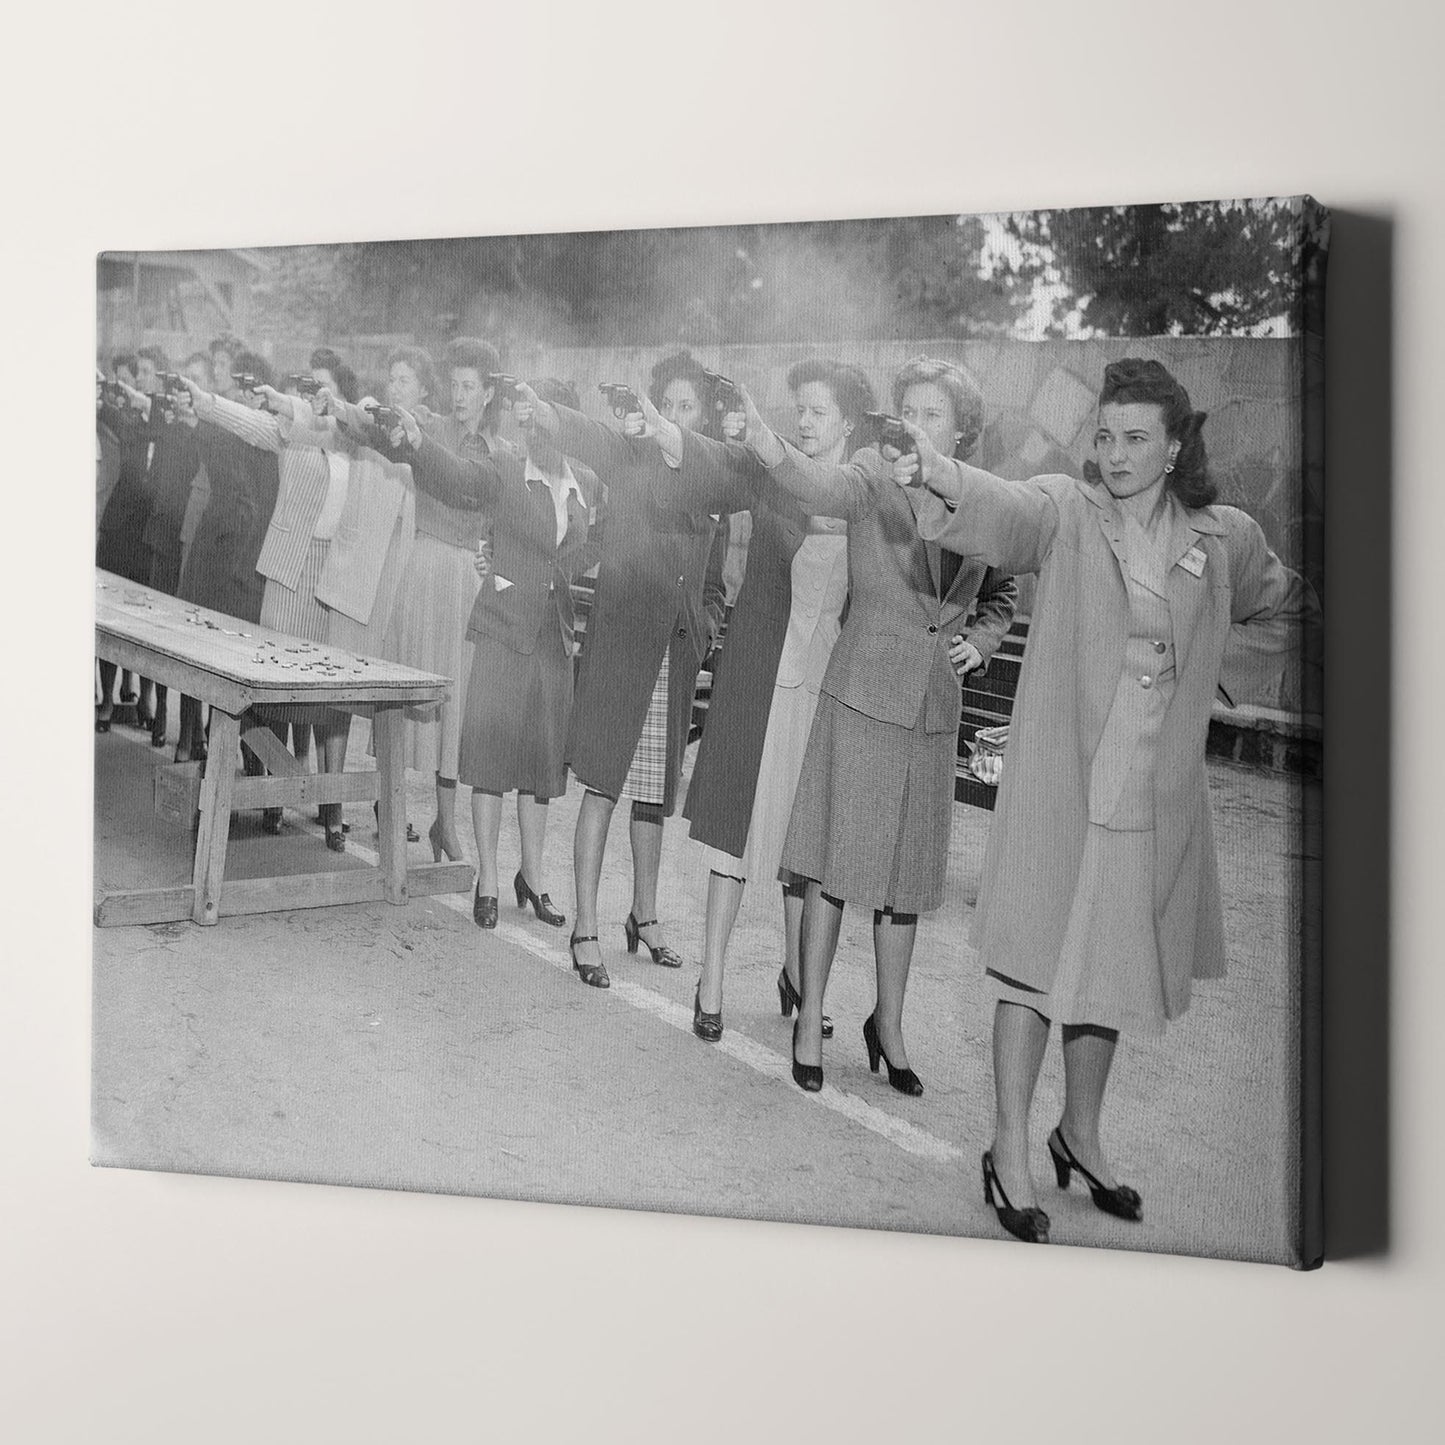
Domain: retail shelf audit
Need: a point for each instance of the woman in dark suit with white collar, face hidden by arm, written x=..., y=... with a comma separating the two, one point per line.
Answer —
x=519, y=699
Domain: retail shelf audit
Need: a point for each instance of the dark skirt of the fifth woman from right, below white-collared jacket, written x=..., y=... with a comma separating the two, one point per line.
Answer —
x=515, y=715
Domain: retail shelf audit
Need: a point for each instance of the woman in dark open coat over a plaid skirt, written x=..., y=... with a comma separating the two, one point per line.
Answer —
x=657, y=611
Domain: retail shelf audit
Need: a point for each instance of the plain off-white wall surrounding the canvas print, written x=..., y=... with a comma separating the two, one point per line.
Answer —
x=168, y=1308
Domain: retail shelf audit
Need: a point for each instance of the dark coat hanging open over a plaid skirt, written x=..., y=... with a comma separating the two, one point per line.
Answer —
x=660, y=593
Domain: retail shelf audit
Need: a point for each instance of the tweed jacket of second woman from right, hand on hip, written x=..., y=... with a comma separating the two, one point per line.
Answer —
x=891, y=661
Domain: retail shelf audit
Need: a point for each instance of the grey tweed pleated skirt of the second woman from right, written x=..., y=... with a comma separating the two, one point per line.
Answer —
x=874, y=810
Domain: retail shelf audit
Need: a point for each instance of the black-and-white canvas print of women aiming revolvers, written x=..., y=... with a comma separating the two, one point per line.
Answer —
x=808, y=723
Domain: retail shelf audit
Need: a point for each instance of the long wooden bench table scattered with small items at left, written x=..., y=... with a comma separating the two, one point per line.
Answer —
x=235, y=667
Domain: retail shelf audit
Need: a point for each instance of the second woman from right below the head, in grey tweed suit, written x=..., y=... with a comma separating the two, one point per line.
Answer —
x=875, y=801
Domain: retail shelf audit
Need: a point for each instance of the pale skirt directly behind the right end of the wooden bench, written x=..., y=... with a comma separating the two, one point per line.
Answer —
x=428, y=631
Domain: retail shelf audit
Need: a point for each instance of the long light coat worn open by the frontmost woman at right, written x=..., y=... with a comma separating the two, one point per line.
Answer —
x=1236, y=615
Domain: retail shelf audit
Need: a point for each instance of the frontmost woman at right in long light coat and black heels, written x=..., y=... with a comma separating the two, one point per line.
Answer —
x=1100, y=897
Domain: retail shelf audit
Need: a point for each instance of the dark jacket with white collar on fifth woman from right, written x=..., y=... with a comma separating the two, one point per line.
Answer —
x=524, y=537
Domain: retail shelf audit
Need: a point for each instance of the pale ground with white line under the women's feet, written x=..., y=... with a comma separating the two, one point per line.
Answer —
x=402, y=1048
